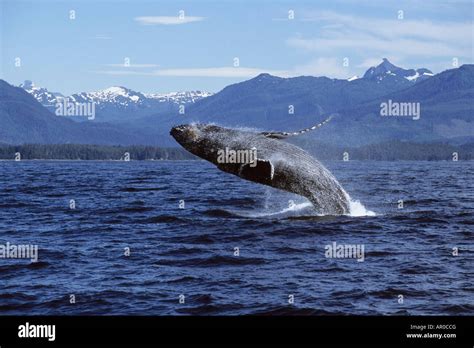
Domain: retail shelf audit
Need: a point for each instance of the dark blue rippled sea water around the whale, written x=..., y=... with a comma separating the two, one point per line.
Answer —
x=190, y=251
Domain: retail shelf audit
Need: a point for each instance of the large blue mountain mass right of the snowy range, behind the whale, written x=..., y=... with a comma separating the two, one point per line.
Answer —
x=446, y=102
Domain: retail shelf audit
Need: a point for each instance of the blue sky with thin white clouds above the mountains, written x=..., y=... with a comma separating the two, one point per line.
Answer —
x=165, y=46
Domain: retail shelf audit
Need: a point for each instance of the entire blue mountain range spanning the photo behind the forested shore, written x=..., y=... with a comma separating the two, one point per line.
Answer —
x=264, y=102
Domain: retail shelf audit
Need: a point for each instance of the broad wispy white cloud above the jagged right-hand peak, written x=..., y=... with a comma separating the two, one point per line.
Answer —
x=388, y=37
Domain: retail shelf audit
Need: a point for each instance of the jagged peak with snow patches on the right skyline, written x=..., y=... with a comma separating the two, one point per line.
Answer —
x=388, y=70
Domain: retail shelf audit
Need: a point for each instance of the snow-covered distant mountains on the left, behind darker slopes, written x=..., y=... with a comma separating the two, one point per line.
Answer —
x=118, y=103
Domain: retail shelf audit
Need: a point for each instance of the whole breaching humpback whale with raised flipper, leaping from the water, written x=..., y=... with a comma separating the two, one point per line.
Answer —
x=276, y=163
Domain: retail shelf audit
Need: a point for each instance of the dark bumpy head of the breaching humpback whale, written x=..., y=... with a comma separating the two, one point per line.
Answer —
x=202, y=140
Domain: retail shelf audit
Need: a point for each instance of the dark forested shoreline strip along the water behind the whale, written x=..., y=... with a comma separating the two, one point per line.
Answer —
x=388, y=151
